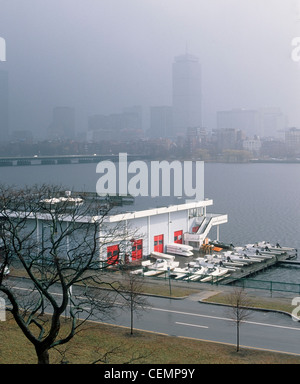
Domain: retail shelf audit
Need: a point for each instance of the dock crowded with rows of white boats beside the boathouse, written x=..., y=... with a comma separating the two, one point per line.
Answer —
x=227, y=265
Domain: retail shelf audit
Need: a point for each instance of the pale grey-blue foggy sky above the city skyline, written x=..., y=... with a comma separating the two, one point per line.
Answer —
x=100, y=56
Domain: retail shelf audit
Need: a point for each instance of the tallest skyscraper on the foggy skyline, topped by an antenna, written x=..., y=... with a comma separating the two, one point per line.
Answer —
x=186, y=94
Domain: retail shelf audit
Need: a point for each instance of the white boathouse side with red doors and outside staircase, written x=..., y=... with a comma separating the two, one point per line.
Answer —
x=187, y=223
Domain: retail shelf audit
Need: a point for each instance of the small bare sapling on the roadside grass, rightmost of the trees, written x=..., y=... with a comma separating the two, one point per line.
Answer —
x=239, y=310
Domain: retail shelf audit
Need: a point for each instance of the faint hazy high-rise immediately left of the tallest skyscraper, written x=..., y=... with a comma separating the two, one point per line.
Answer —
x=161, y=121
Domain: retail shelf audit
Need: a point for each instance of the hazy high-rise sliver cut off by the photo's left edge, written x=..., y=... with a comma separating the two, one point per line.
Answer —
x=4, y=107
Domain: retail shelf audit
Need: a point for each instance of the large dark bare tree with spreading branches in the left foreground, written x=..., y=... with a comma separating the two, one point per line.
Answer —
x=56, y=241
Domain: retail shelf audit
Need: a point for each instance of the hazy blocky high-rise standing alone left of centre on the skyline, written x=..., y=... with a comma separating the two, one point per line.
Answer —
x=63, y=124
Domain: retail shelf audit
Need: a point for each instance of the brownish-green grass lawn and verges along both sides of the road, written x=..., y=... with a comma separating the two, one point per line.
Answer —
x=115, y=345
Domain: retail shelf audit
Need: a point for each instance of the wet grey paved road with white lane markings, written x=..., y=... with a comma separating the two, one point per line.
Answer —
x=190, y=318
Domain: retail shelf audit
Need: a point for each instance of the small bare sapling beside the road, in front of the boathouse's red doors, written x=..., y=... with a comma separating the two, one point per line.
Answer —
x=132, y=286
